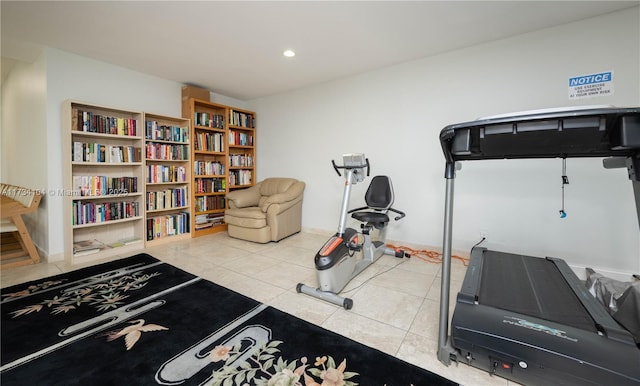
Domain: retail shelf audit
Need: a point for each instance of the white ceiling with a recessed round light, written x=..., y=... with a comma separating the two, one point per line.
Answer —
x=235, y=48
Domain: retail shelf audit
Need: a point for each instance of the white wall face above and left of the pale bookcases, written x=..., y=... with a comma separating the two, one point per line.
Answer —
x=82, y=79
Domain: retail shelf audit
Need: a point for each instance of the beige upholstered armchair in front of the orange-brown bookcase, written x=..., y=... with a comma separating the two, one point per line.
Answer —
x=268, y=211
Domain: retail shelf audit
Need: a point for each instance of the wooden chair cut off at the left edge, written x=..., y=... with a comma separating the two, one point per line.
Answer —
x=17, y=248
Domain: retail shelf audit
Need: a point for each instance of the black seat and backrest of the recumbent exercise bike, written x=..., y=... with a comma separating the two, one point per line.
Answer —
x=379, y=198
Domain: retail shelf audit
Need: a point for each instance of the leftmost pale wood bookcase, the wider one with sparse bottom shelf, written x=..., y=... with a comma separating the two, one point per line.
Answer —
x=103, y=181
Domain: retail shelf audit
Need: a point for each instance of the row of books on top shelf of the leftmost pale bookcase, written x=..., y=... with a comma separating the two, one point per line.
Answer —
x=95, y=123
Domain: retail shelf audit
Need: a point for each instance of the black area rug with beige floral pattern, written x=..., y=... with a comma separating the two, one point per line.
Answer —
x=139, y=321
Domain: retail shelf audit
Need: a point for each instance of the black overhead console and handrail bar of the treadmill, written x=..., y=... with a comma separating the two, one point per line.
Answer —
x=612, y=127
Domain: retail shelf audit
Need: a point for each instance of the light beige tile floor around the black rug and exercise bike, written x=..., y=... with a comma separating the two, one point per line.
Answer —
x=396, y=302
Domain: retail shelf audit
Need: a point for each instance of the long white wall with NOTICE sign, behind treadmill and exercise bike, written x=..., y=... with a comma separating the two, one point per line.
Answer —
x=394, y=116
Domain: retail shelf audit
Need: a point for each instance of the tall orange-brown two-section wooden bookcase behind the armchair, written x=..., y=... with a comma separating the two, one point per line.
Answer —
x=223, y=158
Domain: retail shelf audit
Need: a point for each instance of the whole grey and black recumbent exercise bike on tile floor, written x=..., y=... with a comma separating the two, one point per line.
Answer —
x=349, y=252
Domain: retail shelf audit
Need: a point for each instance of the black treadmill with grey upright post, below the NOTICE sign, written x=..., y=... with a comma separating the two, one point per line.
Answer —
x=530, y=319
